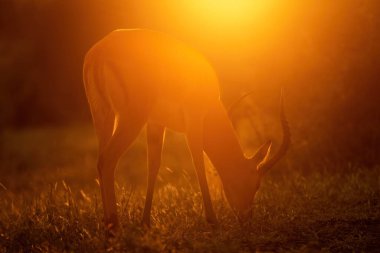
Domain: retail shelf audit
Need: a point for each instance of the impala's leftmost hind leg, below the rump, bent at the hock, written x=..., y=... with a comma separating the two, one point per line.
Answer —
x=127, y=130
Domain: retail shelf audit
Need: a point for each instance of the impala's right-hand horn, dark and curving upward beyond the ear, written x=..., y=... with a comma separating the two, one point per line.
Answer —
x=286, y=139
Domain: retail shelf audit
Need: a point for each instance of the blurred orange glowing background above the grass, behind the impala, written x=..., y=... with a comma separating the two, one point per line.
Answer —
x=325, y=54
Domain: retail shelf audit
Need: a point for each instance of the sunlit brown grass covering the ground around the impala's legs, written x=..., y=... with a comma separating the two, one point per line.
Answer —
x=50, y=202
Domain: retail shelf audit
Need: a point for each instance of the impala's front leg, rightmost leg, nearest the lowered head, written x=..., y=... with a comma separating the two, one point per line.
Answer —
x=195, y=142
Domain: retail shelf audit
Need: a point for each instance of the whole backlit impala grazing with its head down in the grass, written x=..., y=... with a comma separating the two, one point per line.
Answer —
x=140, y=77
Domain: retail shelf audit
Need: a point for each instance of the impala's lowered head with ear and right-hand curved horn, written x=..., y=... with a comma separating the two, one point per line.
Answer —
x=241, y=189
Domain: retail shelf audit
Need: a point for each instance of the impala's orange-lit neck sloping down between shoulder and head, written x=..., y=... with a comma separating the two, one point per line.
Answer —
x=221, y=143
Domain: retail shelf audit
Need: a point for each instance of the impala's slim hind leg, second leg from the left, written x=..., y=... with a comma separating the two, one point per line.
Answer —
x=155, y=137
